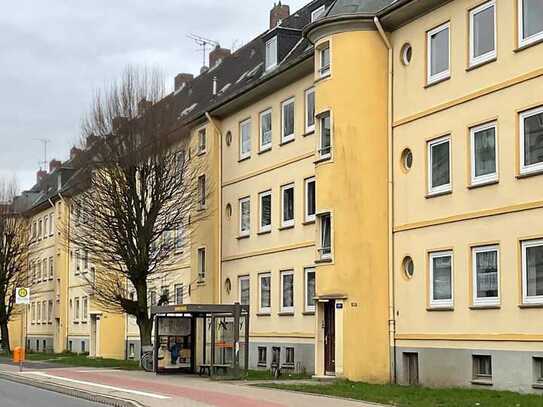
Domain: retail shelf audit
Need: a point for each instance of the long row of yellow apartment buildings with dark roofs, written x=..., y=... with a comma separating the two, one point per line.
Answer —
x=375, y=176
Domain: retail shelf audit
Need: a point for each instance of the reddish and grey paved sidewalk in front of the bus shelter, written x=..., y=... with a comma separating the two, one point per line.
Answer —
x=150, y=390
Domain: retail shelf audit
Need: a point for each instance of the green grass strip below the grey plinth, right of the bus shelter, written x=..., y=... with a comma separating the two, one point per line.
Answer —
x=416, y=396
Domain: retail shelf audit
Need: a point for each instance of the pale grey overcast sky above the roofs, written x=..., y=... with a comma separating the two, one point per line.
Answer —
x=55, y=53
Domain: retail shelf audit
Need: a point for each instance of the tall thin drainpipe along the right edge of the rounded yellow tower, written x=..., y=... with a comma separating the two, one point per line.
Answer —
x=391, y=286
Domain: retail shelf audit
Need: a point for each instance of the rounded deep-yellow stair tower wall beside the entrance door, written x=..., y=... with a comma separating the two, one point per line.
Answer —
x=353, y=187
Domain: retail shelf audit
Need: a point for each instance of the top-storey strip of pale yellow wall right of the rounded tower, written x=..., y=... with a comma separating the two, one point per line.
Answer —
x=410, y=95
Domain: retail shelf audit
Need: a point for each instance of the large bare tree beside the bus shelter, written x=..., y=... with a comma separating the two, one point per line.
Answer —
x=139, y=188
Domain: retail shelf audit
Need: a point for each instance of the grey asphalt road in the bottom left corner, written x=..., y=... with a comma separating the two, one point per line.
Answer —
x=19, y=395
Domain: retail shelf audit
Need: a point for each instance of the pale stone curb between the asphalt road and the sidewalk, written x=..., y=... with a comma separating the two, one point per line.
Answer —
x=69, y=391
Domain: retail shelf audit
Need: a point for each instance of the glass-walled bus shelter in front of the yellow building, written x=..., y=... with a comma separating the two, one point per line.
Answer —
x=201, y=338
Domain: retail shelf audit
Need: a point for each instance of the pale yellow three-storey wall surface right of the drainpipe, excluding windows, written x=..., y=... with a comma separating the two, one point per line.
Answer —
x=490, y=92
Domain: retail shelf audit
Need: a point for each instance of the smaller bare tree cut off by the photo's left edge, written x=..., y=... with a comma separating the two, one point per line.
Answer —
x=14, y=248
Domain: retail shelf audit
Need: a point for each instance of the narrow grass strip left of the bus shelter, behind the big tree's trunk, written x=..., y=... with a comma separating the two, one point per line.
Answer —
x=71, y=359
